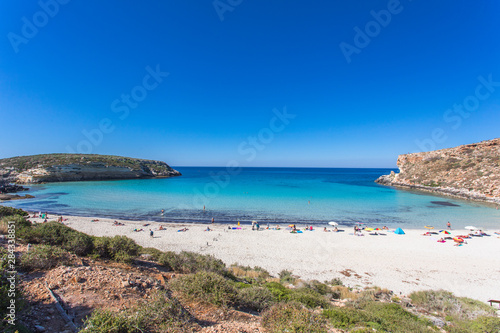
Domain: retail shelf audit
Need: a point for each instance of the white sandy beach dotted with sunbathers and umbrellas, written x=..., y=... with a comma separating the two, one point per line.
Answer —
x=402, y=263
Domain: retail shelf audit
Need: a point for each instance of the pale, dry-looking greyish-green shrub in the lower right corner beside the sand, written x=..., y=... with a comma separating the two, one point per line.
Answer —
x=447, y=304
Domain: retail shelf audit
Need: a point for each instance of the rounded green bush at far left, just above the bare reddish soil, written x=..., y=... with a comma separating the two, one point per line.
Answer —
x=44, y=257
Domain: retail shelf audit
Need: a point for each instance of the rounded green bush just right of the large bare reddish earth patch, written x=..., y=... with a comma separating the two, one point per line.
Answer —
x=207, y=286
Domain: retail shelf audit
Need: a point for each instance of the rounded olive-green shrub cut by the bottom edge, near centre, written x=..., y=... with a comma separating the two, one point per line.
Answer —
x=292, y=317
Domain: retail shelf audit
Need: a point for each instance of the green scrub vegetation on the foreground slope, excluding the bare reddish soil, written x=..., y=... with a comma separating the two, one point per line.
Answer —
x=201, y=283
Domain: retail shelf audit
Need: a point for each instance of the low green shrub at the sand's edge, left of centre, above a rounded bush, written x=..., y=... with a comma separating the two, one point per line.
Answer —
x=190, y=262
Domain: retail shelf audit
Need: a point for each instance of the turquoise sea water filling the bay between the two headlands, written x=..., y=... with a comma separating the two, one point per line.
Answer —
x=281, y=195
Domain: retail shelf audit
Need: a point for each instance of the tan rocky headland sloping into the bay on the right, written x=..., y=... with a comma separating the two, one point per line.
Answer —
x=469, y=171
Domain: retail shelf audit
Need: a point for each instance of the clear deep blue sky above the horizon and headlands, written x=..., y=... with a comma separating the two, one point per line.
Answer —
x=226, y=77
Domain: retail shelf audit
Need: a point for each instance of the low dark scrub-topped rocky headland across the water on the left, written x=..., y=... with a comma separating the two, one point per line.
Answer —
x=79, y=167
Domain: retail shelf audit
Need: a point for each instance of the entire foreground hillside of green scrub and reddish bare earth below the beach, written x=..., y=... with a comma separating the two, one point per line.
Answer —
x=72, y=282
